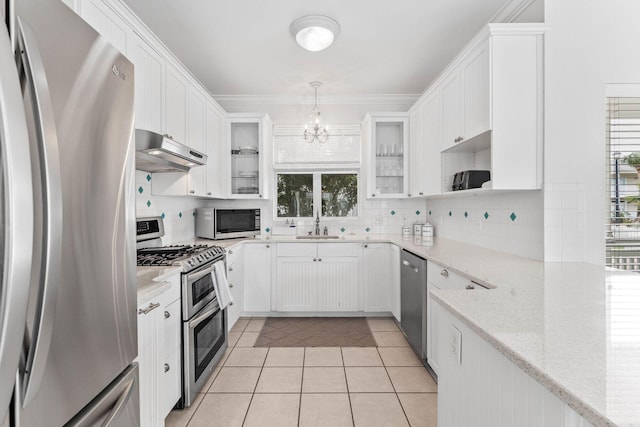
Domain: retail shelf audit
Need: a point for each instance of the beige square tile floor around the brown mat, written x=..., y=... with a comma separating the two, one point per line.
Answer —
x=314, y=386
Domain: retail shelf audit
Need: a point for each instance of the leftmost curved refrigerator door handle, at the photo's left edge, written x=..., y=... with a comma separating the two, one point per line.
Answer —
x=16, y=219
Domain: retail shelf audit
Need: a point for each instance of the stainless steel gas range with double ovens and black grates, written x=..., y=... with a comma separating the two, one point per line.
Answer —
x=204, y=324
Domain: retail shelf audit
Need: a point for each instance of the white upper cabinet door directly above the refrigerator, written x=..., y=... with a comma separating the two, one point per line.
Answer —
x=105, y=21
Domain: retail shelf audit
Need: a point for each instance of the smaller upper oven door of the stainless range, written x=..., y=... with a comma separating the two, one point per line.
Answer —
x=197, y=290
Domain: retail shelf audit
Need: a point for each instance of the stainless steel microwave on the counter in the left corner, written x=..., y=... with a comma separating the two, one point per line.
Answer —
x=227, y=223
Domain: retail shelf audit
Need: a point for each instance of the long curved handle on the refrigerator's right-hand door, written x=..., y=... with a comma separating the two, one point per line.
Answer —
x=52, y=215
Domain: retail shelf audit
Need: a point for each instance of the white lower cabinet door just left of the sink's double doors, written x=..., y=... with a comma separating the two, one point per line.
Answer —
x=257, y=262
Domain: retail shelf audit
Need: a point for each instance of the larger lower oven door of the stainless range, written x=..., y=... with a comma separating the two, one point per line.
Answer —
x=205, y=341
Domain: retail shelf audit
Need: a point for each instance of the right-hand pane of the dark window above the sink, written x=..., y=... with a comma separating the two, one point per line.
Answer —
x=340, y=195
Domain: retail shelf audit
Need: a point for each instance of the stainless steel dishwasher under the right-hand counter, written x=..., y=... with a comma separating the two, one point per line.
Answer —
x=413, y=301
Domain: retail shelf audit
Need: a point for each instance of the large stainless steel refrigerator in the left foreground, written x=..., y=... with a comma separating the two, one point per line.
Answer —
x=68, y=337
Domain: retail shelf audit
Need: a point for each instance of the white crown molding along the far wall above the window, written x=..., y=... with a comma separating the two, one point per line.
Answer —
x=238, y=100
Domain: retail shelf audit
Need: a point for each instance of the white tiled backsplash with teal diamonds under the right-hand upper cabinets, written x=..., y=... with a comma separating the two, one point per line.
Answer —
x=521, y=235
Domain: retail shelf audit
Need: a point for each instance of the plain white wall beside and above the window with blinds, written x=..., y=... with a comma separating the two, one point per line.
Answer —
x=590, y=44
